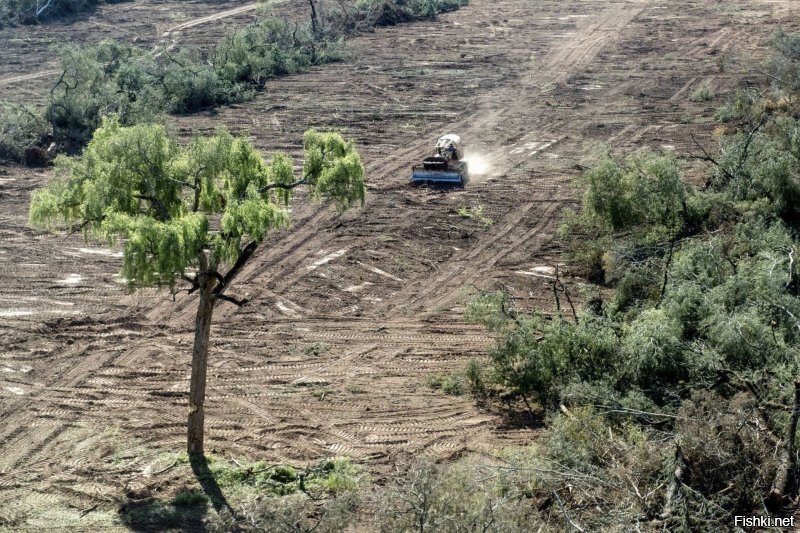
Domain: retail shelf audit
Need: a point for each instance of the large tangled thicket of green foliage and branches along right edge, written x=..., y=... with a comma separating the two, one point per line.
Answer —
x=677, y=393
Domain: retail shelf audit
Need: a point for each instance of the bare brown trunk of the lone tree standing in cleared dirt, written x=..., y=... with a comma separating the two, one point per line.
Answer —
x=197, y=386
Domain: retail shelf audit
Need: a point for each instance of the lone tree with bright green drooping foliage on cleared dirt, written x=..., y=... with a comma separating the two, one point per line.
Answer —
x=194, y=213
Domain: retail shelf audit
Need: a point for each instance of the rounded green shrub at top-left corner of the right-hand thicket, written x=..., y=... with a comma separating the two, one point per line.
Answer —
x=640, y=196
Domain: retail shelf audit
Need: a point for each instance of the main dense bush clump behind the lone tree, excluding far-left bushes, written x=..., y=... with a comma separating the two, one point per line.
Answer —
x=137, y=86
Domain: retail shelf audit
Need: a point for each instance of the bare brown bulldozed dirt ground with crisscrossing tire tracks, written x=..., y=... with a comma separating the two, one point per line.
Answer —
x=349, y=314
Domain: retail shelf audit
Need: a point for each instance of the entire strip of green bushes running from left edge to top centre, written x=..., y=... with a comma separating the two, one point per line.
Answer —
x=138, y=85
